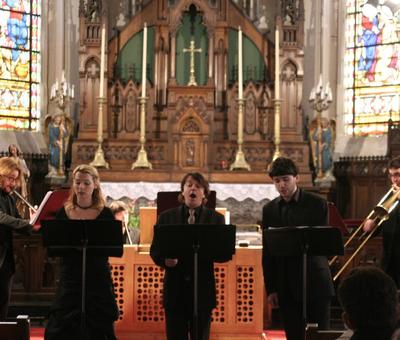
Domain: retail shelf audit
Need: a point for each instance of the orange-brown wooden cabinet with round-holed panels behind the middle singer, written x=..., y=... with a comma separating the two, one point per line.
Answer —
x=138, y=287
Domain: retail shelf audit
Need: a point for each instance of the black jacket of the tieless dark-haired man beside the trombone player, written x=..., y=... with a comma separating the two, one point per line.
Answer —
x=284, y=274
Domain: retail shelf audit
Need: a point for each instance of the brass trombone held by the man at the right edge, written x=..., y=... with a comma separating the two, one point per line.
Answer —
x=379, y=214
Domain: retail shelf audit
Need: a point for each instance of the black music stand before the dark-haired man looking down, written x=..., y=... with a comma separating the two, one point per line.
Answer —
x=304, y=241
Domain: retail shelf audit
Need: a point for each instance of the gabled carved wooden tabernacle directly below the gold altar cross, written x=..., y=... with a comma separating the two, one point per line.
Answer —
x=191, y=141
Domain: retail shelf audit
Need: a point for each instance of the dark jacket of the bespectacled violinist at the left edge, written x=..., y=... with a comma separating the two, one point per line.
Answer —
x=9, y=220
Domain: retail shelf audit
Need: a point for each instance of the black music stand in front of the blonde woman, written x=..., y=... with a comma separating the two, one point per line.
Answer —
x=99, y=237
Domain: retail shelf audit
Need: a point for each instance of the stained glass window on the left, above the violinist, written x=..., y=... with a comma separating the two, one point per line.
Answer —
x=19, y=64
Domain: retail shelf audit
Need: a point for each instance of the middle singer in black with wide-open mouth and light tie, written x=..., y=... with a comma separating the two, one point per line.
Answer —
x=178, y=280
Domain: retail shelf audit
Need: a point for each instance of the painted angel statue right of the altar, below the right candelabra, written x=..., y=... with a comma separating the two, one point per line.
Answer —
x=322, y=139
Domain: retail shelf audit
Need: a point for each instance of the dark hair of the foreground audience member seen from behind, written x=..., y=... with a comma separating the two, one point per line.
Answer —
x=369, y=297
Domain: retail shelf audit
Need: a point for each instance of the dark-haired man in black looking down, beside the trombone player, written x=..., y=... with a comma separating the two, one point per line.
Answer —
x=283, y=275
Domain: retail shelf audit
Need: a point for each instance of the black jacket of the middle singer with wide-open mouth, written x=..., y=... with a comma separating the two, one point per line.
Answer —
x=178, y=281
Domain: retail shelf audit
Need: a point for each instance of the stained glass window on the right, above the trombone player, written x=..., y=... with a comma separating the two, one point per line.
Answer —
x=372, y=77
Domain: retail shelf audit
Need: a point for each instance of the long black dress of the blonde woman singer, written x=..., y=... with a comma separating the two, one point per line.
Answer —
x=101, y=308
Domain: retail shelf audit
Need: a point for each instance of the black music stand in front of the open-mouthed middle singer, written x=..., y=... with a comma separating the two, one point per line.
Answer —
x=216, y=241
